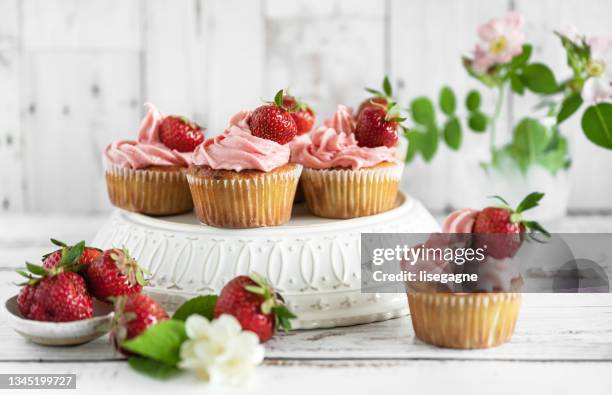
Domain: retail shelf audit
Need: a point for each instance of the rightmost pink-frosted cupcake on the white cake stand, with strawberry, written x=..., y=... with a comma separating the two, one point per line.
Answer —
x=349, y=171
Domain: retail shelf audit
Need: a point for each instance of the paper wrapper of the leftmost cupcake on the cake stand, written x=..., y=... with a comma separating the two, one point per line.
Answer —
x=149, y=192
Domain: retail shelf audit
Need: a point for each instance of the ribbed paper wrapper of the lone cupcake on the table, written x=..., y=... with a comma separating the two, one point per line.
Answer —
x=478, y=320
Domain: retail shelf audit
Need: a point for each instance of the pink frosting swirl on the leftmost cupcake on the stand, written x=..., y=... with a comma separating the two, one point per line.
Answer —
x=148, y=150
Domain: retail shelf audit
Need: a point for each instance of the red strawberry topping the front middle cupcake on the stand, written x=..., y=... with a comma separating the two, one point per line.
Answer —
x=273, y=122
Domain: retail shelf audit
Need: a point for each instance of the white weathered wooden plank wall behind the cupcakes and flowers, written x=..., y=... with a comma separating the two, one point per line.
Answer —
x=74, y=75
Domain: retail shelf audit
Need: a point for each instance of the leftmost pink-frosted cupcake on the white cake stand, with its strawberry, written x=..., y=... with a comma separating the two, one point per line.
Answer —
x=148, y=175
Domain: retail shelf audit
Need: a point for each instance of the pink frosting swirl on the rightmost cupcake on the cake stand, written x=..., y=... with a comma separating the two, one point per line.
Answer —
x=334, y=145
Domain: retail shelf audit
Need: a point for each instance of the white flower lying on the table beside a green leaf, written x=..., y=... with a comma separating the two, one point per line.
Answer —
x=219, y=351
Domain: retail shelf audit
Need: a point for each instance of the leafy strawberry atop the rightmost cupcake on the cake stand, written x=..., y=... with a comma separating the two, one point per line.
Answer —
x=378, y=119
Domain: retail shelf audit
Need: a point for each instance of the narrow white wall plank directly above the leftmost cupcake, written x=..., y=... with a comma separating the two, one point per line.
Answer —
x=176, y=59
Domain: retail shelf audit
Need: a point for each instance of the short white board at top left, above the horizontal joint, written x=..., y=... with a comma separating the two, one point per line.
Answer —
x=78, y=24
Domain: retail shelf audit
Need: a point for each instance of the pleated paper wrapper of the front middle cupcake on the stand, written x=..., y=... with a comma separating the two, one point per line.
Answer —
x=249, y=202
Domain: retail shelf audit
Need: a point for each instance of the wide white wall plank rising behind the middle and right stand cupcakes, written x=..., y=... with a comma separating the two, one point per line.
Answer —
x=325, y=52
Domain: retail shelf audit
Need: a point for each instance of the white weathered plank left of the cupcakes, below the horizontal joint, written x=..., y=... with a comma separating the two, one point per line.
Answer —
x=75, y=103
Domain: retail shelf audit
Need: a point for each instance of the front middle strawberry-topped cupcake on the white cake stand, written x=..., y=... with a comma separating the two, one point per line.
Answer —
x=243, y=178
